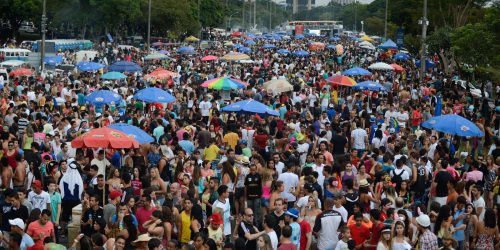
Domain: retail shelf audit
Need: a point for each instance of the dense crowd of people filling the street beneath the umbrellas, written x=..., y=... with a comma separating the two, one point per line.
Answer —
x=337, y=169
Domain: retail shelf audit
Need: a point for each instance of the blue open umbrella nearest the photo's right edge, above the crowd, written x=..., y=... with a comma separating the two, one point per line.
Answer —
x=453, y=124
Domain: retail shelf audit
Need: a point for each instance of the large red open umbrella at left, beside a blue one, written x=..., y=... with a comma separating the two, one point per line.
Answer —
x=104, y=138
